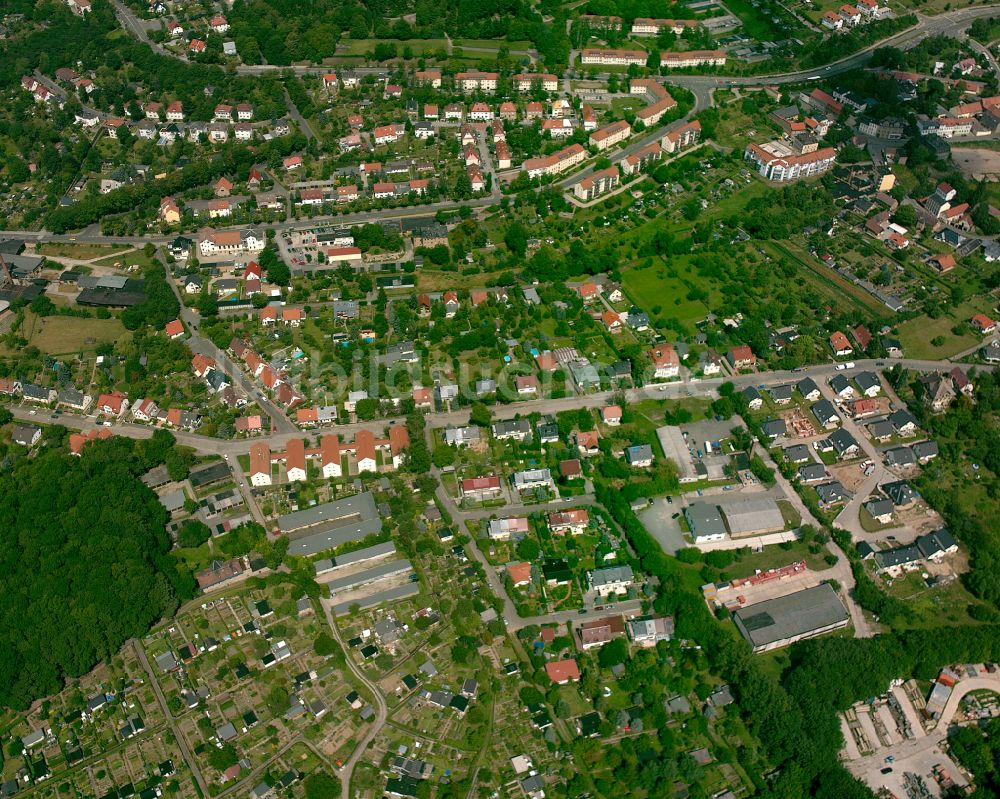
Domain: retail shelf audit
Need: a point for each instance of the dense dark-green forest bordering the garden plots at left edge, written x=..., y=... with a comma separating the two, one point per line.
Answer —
x=85, y=563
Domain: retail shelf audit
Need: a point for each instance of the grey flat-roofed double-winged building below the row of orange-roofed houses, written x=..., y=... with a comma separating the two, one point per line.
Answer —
x=322, y=527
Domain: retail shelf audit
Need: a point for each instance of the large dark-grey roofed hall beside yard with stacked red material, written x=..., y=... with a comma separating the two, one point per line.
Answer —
x=779, y=622
